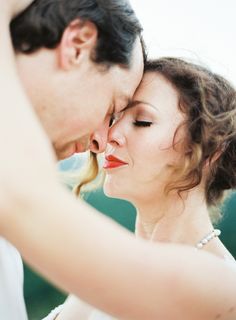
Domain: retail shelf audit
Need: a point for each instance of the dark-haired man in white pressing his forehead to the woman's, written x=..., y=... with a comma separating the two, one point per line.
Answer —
x=79, y=62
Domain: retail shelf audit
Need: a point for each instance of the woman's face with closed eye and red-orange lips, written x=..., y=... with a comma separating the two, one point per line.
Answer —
x=140, y=153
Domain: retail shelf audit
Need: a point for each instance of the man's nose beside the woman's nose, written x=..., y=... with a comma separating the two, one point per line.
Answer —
x=98, y=140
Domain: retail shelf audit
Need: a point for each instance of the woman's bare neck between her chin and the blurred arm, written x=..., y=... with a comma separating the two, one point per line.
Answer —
x=172, y=219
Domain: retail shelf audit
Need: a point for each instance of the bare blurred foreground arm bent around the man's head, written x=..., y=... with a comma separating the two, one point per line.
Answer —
x=83, y=252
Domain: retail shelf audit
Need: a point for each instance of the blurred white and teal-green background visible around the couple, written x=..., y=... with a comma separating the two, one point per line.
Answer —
x=203, y=31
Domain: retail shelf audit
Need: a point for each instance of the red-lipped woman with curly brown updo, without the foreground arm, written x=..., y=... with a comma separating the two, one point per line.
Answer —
x=172, y=153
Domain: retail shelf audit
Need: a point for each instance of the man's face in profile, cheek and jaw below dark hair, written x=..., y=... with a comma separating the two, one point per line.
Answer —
x=72, y=103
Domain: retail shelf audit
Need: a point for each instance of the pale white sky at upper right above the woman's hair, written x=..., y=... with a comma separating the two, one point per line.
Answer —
x=202, y=30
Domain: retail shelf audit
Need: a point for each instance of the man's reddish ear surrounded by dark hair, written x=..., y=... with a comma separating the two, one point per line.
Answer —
x=78, y=41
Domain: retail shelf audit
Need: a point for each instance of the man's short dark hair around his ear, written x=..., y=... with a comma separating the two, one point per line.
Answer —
x=42, y=25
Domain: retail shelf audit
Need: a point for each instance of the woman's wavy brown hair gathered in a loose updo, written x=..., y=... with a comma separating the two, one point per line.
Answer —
x=209, y=103
